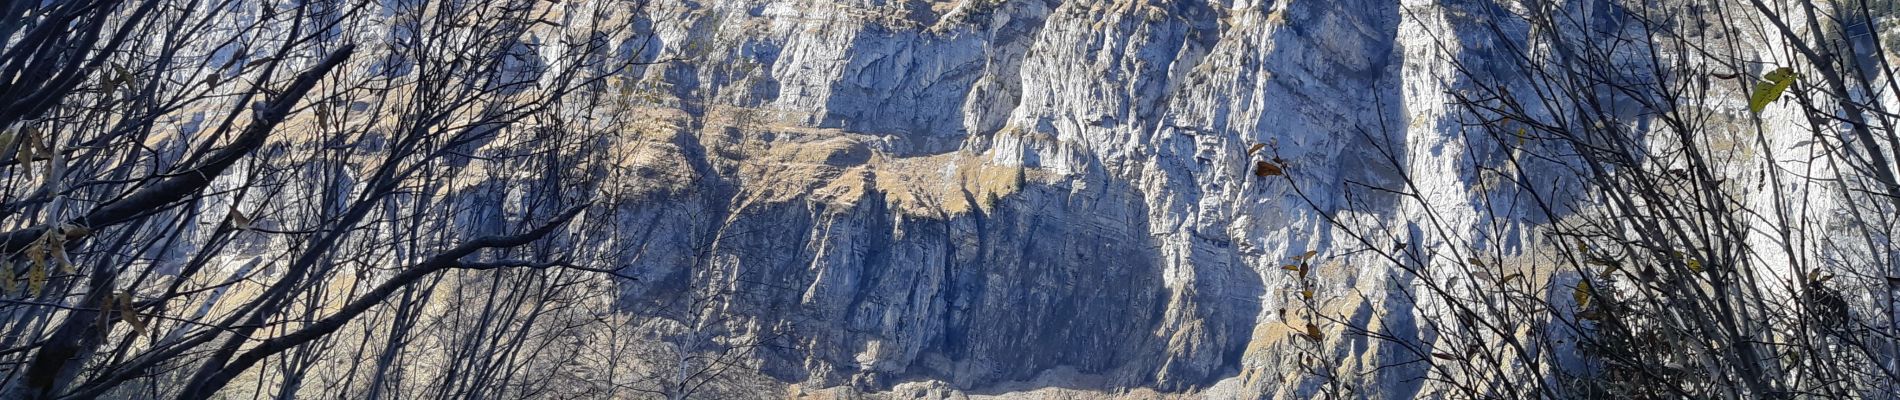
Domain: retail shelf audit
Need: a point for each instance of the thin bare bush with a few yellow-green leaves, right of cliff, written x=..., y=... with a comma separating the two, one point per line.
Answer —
x=1681, y=200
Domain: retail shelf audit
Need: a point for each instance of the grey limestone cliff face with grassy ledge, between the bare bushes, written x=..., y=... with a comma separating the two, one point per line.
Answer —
x=1052, y=192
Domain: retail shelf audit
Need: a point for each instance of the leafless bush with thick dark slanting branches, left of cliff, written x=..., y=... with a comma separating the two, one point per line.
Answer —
x=292, y=198
